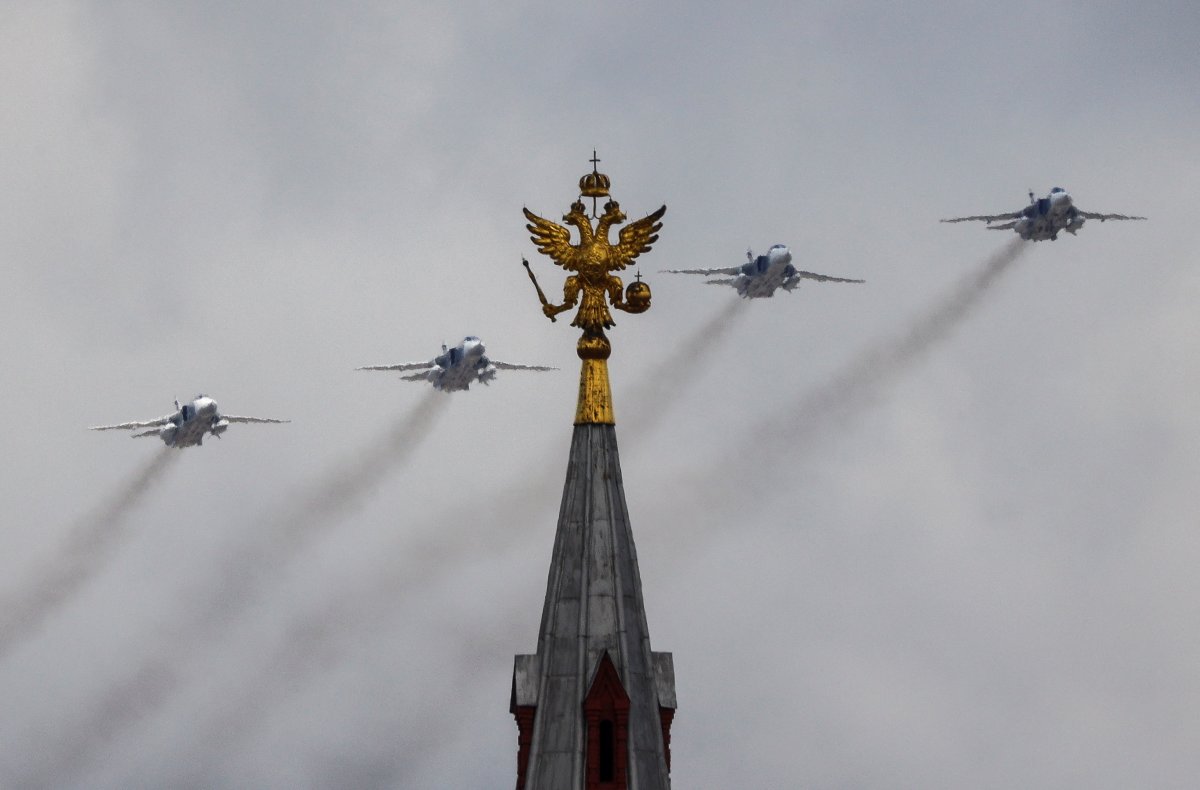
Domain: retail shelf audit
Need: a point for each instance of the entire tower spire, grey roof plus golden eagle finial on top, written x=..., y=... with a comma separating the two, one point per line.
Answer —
x=595, y=704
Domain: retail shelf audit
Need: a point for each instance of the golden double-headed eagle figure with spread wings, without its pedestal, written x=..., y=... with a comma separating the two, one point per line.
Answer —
x=592, y=261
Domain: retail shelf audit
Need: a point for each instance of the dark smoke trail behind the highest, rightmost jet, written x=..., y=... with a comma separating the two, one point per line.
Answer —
x=853, y=388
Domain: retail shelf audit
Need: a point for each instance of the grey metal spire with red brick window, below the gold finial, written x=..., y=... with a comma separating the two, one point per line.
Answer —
x=595, y=704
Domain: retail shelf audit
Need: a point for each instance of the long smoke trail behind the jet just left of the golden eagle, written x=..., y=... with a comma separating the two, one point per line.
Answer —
x=158, y=681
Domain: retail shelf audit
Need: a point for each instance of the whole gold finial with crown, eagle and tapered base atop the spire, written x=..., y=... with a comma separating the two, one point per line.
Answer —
x=592, y=261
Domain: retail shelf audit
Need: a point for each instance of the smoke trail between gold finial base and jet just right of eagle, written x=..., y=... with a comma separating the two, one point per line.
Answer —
x=668, y=381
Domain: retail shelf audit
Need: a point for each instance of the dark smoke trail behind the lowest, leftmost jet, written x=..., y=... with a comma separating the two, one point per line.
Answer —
x=89, y=547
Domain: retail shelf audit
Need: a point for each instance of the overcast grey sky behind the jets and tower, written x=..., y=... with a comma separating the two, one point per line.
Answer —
x=982, y=576
